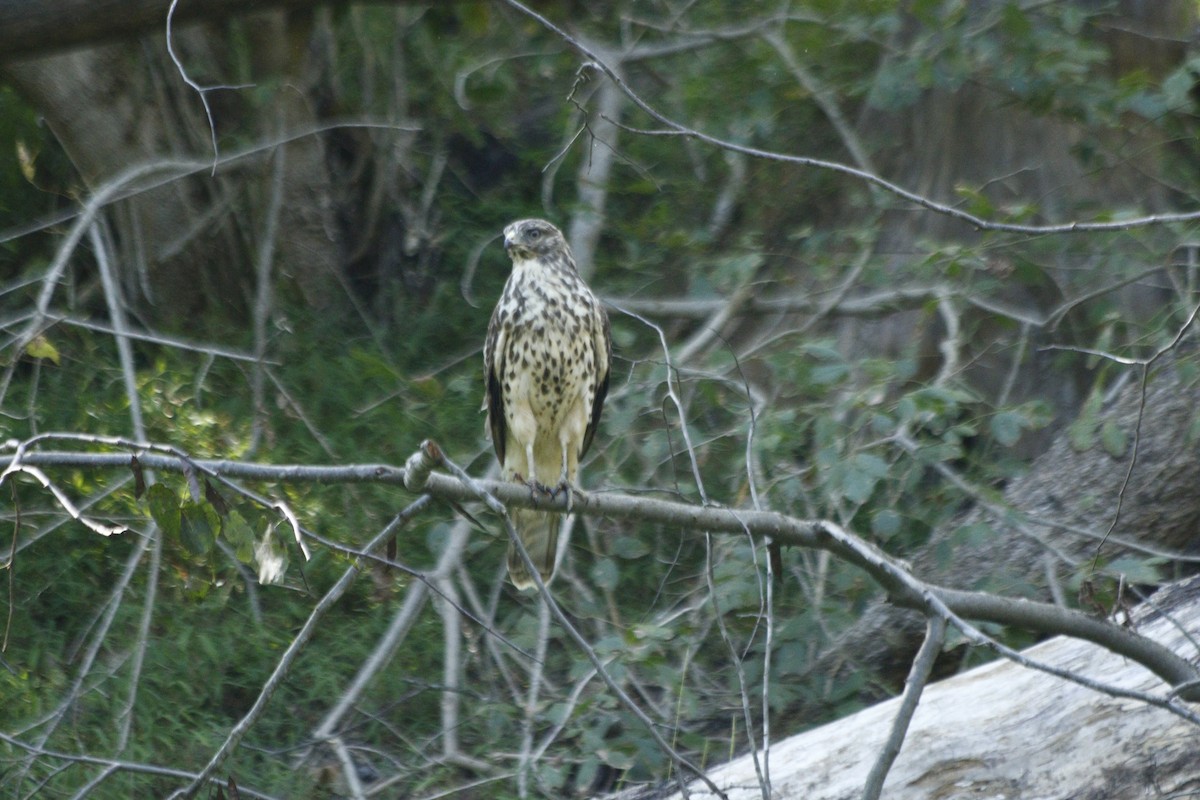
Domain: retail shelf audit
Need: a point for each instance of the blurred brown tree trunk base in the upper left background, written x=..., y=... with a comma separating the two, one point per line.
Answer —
x=183, y=243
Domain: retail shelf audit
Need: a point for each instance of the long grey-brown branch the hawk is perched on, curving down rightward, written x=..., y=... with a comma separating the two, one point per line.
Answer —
x=817, y=534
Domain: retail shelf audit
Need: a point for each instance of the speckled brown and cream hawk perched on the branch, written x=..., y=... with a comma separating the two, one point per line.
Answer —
x=547, y=365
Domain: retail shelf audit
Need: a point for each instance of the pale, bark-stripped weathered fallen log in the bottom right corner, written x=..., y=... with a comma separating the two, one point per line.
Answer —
x=1006, y=732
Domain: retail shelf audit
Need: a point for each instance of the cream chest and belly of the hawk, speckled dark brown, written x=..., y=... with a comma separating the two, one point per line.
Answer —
x=550, y=321
